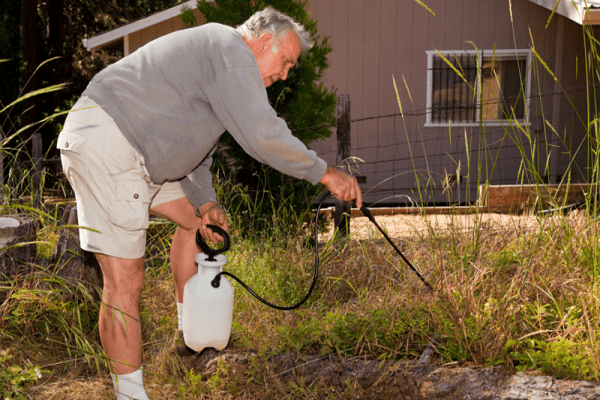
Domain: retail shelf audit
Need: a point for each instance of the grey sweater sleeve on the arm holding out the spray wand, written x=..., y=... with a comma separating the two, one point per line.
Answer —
x=239, y=99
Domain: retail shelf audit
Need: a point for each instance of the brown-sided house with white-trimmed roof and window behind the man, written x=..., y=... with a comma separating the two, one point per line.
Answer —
x=487, y=91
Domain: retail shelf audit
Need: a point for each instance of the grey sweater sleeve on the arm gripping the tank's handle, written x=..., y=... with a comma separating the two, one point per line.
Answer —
x=197, y=185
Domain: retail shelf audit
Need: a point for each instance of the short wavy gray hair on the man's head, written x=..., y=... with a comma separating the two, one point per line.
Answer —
x=277, y=24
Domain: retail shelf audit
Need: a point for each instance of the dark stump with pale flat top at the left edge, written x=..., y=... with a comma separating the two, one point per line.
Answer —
x=16, y=229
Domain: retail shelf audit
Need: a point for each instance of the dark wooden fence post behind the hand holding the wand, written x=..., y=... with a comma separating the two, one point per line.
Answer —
x=342, y=208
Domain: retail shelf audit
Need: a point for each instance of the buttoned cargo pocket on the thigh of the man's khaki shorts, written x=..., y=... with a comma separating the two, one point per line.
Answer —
x=132, y=206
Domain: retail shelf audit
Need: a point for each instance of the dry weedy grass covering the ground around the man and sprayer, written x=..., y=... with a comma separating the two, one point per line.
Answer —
x=506, y=290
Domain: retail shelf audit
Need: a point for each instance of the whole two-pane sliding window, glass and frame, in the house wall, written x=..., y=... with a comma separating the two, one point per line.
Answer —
x=491, y=87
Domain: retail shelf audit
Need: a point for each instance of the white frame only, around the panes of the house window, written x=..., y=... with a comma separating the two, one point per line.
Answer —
x=479, y=56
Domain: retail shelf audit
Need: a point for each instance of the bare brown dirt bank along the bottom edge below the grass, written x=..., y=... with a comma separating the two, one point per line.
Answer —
x=335, y=377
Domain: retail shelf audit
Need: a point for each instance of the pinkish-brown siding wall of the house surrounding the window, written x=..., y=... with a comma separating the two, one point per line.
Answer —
x=374, y=40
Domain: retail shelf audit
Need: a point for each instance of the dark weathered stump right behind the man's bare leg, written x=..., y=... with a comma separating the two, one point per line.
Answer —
x=69, y=260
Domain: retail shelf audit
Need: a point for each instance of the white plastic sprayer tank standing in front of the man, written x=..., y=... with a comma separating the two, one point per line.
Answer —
x=207, y=311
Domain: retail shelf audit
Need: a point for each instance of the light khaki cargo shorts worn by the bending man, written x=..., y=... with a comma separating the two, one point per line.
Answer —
x=112, y=187
